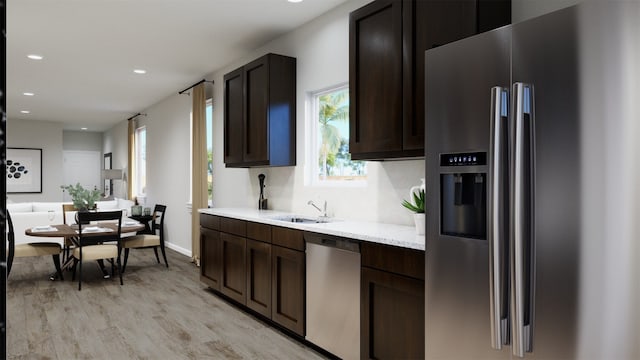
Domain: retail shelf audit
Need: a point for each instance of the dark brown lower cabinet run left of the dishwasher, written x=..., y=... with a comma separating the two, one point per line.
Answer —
x=240, y=261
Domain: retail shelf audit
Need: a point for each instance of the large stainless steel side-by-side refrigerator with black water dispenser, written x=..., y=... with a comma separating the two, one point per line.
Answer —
x=503, y=165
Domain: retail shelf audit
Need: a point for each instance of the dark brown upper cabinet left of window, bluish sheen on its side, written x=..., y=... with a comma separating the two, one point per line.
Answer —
x=260, y=113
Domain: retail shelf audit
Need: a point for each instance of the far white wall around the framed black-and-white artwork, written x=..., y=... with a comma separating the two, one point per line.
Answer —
x=43, y=135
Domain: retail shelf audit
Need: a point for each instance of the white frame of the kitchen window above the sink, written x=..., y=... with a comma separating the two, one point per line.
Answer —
x=312, y=148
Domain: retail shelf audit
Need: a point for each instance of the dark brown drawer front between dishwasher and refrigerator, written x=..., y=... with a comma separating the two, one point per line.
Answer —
x=402, y=261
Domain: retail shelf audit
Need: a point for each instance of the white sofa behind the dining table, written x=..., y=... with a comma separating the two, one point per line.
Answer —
x=29, y=214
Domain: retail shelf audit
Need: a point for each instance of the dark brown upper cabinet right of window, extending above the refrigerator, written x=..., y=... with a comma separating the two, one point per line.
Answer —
x=387, y=41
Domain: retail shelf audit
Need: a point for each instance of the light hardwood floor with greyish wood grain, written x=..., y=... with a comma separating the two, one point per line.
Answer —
x=159, y=313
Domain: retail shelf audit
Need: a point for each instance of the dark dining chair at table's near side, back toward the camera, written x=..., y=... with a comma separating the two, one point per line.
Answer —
x=93, y=245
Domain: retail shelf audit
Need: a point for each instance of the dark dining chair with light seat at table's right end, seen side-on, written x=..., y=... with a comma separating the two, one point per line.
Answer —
x=153, y=240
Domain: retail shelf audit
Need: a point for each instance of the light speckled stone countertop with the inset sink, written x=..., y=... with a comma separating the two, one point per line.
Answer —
x=388, y=234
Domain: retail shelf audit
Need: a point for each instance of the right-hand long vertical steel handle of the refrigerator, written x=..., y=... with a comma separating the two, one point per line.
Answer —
x=522, y=239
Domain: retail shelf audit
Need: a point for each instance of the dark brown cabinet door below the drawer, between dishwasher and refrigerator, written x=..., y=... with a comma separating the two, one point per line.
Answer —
x=391, y=316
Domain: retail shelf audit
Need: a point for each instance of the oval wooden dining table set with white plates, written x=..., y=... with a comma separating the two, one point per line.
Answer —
x=128, y=227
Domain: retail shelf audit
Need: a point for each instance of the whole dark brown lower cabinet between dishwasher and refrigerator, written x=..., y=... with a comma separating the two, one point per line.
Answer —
x=392, y=302
